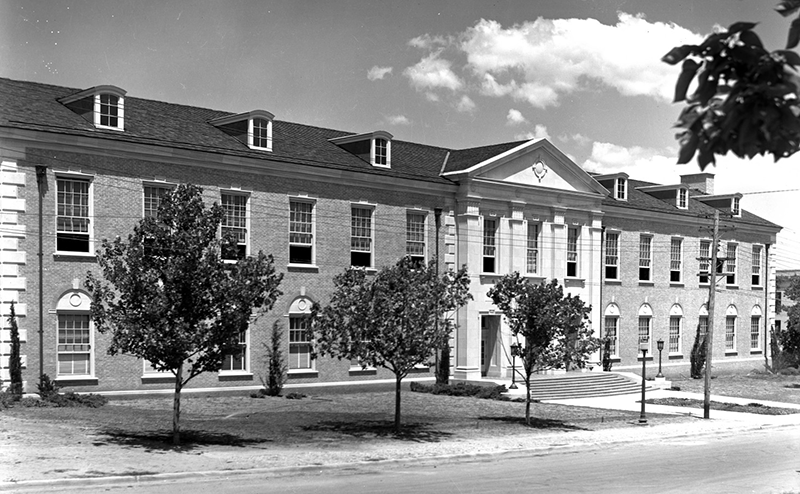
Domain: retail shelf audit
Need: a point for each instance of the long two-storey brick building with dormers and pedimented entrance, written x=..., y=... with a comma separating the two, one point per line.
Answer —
x=82, y=165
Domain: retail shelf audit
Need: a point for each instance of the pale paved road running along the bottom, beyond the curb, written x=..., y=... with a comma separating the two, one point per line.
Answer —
x=760, y=461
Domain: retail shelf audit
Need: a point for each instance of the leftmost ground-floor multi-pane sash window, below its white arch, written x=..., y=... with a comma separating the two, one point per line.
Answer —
x=74, y=345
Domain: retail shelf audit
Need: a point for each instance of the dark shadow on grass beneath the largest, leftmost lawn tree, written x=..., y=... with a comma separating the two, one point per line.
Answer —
x=161, y=440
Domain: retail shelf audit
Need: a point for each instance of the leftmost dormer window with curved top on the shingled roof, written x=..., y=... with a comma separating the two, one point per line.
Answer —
x=103, y=106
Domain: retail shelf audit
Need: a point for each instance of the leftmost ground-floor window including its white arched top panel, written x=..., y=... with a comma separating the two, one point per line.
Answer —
x=75, y=341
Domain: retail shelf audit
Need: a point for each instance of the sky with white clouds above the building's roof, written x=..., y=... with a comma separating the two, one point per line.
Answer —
x=586, y=74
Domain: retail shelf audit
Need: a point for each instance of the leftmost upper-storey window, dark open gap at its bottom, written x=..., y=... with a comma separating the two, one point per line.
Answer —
x=73, y=231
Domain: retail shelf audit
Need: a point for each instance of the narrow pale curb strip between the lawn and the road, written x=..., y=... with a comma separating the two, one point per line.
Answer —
x=28, y=485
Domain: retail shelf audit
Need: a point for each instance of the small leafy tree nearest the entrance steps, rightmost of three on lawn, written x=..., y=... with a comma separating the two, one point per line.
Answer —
x=550, y=330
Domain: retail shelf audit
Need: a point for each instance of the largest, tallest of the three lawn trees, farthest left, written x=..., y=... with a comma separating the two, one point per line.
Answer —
x=167, y=296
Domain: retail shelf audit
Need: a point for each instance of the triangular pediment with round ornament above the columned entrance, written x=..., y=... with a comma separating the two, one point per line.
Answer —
x=535, y=163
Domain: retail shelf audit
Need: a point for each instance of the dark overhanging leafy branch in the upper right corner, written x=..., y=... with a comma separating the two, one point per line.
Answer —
x=746, y=98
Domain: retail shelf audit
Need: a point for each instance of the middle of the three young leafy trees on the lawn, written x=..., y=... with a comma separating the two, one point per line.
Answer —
x=389, y=320
